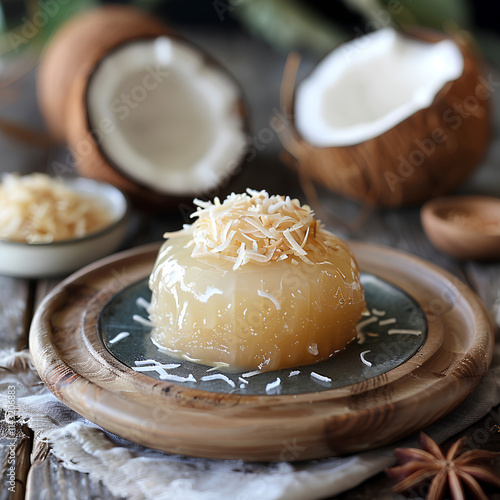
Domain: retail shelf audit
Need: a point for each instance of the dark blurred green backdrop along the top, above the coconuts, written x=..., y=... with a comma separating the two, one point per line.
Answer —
x=314, y=25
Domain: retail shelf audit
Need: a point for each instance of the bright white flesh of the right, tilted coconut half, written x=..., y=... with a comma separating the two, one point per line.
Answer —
x=371, y=84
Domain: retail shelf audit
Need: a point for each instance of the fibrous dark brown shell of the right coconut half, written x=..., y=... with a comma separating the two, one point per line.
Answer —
x=427, y=155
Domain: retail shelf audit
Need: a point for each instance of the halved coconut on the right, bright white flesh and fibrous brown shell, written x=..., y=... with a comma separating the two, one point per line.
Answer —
x=391, y=119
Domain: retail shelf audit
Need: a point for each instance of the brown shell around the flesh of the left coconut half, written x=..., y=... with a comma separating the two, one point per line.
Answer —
x=92, y=161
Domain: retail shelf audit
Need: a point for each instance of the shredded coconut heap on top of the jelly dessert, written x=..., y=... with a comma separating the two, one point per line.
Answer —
x=254, y=226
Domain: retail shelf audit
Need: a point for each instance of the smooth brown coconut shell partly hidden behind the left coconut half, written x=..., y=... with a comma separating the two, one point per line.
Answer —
x=77, y=47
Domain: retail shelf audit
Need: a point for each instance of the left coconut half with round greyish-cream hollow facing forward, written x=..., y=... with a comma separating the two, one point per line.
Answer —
x=154, y=115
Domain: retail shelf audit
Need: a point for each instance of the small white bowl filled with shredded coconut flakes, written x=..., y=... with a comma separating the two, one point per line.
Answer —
x=50, y=227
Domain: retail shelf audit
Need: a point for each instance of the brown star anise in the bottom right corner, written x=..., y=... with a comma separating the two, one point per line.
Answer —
x=454, y=469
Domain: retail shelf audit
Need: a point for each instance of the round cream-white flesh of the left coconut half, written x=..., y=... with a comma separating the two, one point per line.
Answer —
x=166, y=118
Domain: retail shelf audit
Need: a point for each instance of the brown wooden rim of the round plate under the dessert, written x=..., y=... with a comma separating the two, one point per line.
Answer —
x=76, y=366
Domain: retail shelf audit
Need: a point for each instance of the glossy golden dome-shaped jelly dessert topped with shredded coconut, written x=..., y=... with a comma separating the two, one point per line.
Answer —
x=254, y=283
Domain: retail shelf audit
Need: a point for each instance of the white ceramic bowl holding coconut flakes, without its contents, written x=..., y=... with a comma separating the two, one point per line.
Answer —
x=43, y=260
